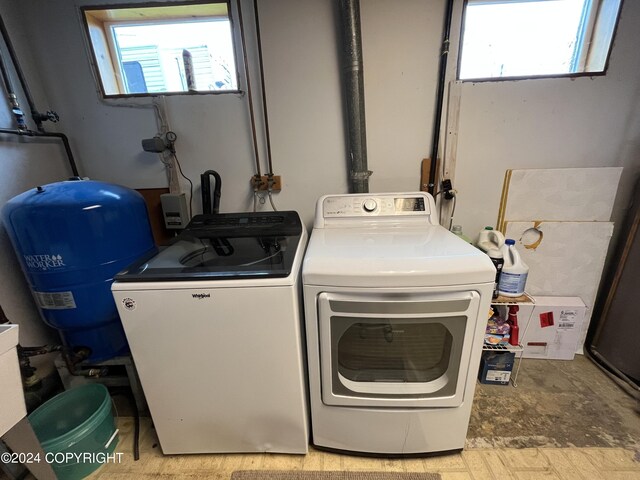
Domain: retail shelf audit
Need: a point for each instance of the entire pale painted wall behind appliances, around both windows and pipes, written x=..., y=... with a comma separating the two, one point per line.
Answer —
x=523, y=124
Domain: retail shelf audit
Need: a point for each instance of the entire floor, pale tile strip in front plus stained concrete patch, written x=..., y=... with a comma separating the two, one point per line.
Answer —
x=564, y=421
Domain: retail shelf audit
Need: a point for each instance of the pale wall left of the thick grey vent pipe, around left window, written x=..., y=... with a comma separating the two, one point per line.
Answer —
x=305, y=109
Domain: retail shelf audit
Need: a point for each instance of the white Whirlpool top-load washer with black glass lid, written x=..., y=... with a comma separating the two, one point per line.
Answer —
x=215, y=329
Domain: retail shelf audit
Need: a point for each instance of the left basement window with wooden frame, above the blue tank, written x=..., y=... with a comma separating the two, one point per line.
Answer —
x=162, y=48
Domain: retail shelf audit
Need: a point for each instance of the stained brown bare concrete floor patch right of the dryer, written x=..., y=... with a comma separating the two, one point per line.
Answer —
x=556, y=404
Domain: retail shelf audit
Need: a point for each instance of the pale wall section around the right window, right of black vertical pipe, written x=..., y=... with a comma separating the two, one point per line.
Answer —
x=550, y=123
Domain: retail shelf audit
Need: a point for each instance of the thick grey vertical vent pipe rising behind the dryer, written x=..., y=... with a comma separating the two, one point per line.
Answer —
x=354, y=92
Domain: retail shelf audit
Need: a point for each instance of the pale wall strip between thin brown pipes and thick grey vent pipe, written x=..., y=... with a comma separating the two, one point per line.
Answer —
x=304, y=94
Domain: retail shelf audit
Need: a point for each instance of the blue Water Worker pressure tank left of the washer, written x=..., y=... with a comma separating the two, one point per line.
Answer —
x=71, y=238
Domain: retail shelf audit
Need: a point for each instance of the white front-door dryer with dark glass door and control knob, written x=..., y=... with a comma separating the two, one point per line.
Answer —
x=396, y=309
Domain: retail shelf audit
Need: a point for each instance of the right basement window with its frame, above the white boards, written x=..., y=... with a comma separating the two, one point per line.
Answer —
x=505, y=39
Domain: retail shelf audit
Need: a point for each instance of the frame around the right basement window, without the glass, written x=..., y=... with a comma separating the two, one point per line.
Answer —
x=587, y=33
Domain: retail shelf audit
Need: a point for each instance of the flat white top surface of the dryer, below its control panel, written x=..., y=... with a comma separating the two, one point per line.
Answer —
x=393, y=257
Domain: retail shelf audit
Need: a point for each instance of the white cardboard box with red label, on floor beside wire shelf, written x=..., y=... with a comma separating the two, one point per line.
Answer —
x=554, y=327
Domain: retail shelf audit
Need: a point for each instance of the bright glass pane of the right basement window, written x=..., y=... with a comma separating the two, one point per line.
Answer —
x=510, y=38
